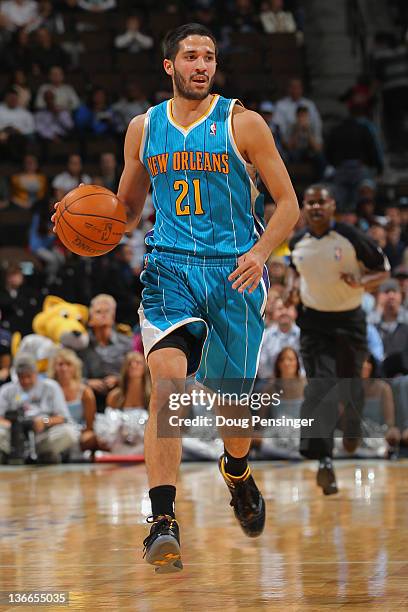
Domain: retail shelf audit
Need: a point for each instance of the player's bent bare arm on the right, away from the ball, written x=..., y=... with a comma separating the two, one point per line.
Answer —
x=256, y=145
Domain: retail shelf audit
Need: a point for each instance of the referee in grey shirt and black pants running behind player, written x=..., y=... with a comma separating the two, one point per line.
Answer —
x=336, y=263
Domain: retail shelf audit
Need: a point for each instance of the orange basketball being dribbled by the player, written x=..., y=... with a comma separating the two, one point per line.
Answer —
x=90, y=220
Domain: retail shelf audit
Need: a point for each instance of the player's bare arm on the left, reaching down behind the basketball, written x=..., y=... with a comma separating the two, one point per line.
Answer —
x=135, y=181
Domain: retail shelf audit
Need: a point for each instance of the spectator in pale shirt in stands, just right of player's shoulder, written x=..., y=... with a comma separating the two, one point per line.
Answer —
x=285, y=114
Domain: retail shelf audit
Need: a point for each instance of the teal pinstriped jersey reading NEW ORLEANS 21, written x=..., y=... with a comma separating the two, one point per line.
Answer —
x=205, y=201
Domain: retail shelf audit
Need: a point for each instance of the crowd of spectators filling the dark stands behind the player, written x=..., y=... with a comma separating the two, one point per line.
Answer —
x=60, y=127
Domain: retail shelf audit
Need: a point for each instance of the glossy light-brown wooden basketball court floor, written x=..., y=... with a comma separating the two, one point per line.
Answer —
x=79, y=529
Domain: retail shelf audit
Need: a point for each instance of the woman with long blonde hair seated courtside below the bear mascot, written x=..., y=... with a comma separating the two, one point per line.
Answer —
x=66, y=369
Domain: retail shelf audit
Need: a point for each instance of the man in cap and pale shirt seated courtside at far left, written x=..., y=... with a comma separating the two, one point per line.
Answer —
x=44, y=409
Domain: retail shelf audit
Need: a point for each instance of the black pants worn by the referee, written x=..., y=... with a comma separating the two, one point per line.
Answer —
x=333, y=347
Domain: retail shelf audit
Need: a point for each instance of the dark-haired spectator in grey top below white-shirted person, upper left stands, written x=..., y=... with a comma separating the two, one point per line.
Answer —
x=52, y=123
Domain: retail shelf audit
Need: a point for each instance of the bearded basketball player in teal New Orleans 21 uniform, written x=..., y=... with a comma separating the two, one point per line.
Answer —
x=204, y=283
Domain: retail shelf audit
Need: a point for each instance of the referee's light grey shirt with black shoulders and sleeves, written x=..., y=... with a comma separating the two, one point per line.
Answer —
x=321, y=260
